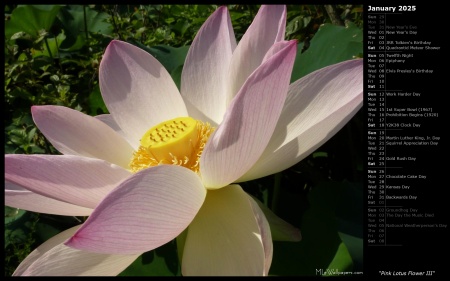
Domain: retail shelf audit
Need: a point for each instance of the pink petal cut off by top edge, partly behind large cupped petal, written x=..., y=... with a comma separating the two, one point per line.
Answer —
x=267, y=28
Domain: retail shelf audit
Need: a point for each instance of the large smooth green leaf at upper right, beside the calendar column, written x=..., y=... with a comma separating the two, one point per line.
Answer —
x=331, y=44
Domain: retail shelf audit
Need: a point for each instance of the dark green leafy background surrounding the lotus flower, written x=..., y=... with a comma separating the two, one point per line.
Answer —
x=52, y=56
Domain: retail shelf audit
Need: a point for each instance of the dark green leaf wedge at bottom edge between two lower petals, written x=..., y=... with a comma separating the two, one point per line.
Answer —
x=162, y=261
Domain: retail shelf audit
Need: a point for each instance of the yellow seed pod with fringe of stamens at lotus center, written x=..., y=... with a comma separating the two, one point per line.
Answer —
x=179, y=141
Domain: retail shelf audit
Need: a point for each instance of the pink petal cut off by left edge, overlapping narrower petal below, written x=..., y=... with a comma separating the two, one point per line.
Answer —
x=73, y=179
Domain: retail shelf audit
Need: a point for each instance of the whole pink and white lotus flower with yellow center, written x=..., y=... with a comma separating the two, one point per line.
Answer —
x=165, y=161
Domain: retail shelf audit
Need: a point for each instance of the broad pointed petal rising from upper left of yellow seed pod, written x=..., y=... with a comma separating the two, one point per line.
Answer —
x=137, y=89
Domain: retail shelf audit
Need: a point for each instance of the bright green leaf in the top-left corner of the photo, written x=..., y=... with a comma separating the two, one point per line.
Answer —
x=31, y=19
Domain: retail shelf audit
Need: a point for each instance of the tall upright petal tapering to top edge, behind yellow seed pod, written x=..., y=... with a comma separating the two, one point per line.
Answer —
x=204, y=77
